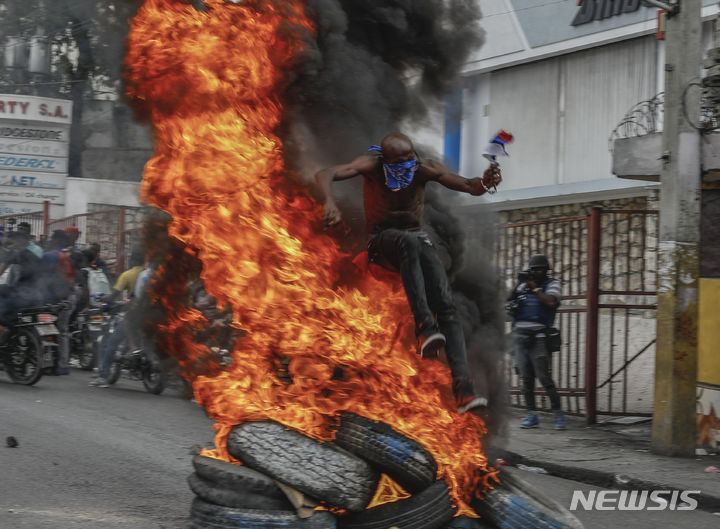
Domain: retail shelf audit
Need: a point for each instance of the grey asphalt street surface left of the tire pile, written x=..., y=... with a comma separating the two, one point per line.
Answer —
x=93, y=457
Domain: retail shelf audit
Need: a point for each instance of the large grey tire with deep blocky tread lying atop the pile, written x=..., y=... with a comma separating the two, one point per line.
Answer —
x=320, y=470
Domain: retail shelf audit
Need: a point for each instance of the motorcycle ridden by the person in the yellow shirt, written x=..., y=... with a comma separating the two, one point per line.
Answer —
x=138, y=364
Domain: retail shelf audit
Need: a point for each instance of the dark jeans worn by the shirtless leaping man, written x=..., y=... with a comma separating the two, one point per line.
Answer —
x=428, y=291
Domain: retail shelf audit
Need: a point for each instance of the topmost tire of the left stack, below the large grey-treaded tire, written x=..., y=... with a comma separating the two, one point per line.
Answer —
x=236, y=477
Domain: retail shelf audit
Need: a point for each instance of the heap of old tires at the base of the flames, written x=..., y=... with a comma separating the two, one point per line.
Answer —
x=343, y=474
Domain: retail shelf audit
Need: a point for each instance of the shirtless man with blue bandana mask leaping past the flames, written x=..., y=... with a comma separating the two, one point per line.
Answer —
x=394, y=194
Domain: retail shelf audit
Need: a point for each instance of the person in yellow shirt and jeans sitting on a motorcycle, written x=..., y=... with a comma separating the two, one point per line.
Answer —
x=124, y=288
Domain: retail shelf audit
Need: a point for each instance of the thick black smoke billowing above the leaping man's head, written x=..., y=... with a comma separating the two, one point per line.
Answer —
x=371, y=66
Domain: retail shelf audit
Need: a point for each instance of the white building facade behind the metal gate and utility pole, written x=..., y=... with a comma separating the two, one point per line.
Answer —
x=561, y=77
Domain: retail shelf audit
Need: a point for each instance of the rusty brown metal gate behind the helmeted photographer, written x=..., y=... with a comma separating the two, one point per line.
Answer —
x=606, y=262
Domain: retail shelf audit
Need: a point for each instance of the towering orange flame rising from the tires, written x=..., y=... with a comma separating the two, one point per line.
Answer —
x=210, y=81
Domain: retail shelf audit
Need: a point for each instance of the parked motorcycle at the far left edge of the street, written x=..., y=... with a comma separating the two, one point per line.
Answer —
x=28, y=345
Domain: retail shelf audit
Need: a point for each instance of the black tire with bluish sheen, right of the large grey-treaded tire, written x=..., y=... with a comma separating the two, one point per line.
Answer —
x=401, y=458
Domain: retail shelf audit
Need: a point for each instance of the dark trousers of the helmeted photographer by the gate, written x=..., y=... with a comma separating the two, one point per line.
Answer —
x=533, y=361
